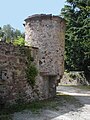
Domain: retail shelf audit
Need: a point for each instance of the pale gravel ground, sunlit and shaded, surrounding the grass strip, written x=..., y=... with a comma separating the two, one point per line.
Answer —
x=64, y=112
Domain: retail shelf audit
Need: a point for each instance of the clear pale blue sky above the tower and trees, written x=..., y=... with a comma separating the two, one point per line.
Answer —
x=14, y=12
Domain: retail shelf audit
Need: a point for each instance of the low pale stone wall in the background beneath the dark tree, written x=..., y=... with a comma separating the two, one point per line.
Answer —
x=74, y=78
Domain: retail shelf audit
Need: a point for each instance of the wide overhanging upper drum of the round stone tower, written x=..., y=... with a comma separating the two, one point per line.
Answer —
x=47, y=33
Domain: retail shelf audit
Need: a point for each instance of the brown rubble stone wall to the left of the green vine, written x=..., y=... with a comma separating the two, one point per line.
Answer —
x=13, y=83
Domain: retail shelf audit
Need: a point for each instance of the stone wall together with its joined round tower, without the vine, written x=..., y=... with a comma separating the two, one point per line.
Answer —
x=45, y=35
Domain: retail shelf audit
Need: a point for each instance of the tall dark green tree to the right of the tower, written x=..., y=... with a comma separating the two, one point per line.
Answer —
x=77, y=48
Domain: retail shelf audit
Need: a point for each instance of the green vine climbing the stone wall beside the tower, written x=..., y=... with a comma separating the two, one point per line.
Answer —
x=31, y=71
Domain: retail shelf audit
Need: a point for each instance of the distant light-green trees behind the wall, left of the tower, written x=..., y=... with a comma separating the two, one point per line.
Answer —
x=9, y=34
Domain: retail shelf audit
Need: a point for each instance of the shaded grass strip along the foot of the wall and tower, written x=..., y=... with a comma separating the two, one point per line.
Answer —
x=55, y=103
